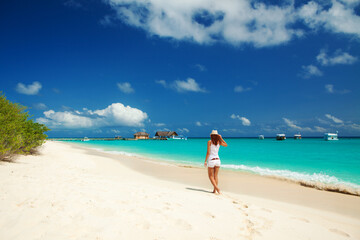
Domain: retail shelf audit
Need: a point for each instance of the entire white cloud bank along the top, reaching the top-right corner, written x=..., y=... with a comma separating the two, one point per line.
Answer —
x=238, y=22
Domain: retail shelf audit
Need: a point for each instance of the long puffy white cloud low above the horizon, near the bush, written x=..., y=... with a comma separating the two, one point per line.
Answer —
x=115, y=114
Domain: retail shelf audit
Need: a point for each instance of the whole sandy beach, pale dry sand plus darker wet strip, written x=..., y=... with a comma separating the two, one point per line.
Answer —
x=69, y=192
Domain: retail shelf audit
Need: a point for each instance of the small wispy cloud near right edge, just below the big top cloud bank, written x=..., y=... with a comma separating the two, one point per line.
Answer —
x=339, y=57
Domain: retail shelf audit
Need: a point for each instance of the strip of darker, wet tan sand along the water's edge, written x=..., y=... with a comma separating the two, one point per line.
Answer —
x=273, y=188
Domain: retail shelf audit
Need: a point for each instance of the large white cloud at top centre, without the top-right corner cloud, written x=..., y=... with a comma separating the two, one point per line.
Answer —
x=204, y=22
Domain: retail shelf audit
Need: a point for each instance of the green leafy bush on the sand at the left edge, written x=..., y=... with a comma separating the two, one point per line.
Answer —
x=18, y=133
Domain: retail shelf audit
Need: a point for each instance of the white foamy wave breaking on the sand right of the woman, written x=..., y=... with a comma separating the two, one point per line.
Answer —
x=316, y=180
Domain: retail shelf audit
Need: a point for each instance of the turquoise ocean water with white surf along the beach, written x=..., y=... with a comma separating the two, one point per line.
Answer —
x=331, y=165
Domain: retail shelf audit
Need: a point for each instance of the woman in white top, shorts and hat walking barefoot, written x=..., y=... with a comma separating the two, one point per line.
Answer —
x=212, y=159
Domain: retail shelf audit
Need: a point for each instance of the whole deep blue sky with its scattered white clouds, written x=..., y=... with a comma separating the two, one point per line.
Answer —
x=115, y=67
